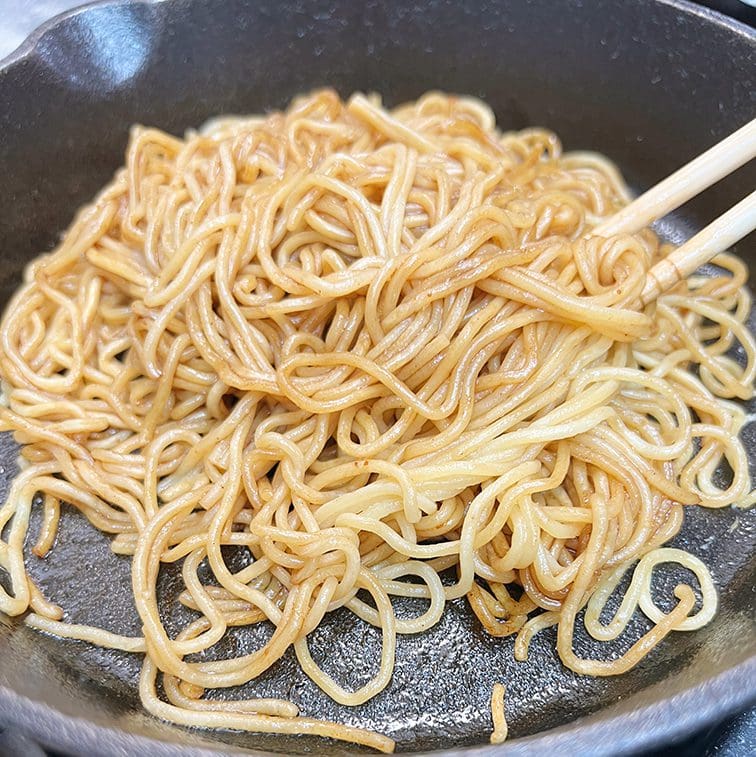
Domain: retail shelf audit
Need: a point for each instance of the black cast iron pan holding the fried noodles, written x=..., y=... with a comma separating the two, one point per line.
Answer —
x=649, y=83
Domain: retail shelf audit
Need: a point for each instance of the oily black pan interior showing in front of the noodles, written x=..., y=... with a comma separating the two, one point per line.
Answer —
x=439, y=696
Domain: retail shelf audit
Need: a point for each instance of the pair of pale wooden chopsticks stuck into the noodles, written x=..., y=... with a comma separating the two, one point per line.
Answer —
x=707, y=169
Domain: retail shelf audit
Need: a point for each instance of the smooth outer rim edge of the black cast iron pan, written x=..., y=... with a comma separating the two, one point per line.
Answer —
x=670, y=718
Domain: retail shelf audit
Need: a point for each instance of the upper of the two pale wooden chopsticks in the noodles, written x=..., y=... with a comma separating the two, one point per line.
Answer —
x=707, y=169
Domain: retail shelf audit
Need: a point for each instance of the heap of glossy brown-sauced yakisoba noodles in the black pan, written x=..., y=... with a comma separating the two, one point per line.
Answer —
x=368, y=346
